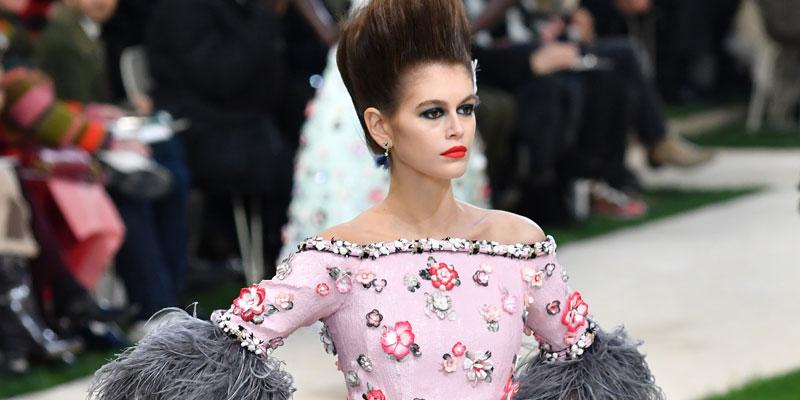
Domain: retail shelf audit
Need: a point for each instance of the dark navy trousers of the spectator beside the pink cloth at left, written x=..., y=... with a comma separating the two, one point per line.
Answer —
x=152, y=260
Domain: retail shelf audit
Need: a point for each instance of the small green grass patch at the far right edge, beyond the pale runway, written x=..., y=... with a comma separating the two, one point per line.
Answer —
x=736, y=136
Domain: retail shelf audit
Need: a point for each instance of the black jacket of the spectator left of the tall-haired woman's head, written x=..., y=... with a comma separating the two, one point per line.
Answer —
x=217, y=61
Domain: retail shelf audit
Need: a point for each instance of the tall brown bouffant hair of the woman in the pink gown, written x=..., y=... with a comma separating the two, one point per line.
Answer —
x=386, y=38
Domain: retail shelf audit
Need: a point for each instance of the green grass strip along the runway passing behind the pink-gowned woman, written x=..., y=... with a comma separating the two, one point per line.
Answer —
x=662, y=203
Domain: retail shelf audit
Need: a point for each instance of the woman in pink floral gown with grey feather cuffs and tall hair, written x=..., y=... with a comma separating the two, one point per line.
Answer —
x=409, y=319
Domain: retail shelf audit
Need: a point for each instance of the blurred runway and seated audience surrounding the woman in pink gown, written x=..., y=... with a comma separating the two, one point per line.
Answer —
x=162, y=153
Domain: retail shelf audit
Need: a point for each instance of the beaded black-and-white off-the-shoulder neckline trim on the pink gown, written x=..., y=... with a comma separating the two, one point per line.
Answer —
x=469, y=246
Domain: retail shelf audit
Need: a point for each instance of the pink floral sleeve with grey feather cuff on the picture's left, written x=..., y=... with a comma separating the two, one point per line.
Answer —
x=229, y=357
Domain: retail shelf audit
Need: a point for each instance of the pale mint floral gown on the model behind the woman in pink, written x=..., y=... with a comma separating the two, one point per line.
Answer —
x=334, y=166
